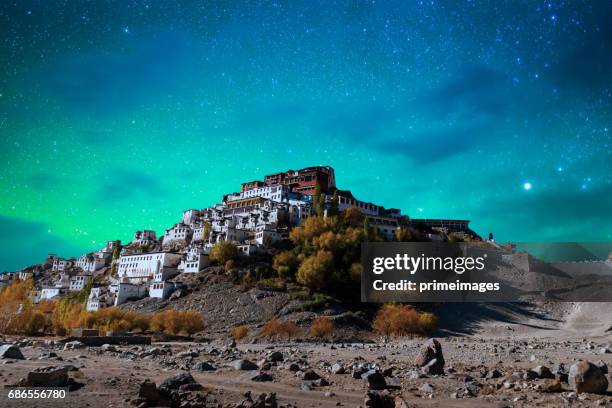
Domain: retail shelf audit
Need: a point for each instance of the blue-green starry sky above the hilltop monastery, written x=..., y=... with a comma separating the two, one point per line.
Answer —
x=117, y=115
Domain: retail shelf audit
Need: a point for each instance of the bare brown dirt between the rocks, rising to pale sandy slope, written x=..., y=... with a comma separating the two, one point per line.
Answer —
x=512, y=346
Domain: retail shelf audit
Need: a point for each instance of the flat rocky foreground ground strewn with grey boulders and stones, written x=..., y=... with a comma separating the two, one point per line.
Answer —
x=506, y=369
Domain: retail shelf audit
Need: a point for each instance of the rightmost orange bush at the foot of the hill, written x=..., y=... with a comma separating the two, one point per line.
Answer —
x=402, y=320
